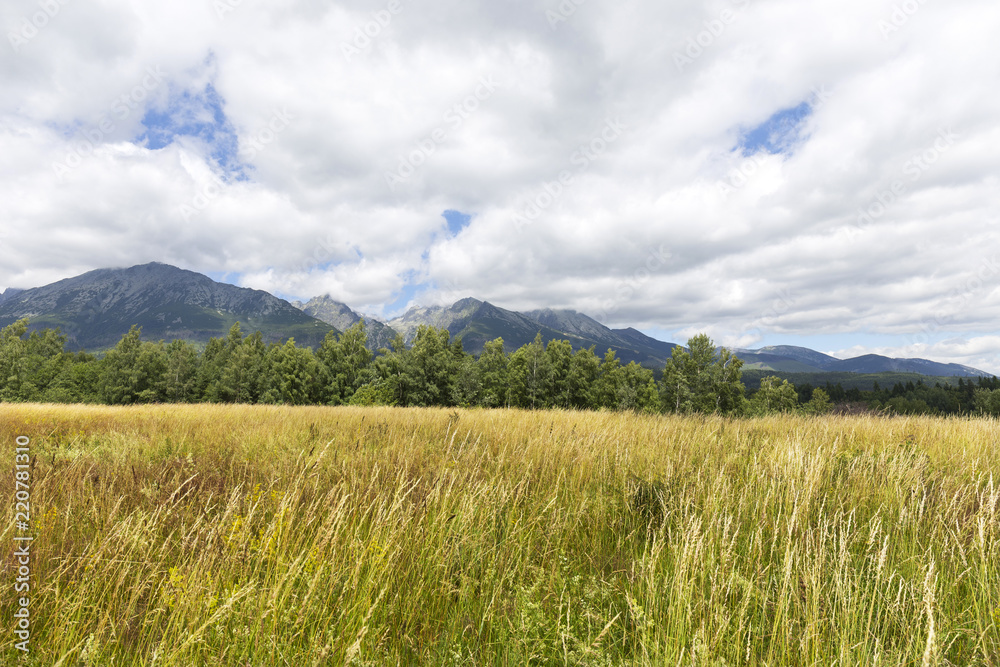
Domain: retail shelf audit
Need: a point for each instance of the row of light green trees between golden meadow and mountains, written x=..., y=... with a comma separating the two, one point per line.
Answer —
x=433, y=370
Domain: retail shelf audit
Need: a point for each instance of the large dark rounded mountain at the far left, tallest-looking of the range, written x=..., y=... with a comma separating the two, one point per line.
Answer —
x=95, y=309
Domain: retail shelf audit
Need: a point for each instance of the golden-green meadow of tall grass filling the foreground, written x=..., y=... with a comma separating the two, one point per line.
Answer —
x=214, y=535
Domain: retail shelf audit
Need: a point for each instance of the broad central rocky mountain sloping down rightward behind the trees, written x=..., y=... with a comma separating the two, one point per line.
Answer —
x=477, y=322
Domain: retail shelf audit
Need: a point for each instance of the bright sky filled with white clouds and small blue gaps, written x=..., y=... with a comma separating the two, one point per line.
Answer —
x=767, y=171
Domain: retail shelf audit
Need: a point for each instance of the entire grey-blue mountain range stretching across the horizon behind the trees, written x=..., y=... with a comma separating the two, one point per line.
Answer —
x=96, y=308
